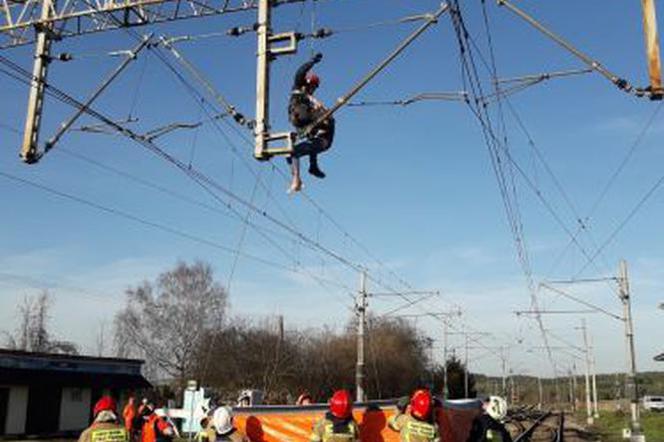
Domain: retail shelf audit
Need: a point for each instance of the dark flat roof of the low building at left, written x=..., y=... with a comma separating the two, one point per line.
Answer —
x=28, y=368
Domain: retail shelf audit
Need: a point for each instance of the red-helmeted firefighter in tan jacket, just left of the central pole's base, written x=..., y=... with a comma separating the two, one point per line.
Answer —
x=338, y=424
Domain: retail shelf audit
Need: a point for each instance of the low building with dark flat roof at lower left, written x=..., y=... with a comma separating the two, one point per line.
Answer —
x=49, y=394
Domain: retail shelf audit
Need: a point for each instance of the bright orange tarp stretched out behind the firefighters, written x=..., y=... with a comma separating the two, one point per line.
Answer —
x=295, y=425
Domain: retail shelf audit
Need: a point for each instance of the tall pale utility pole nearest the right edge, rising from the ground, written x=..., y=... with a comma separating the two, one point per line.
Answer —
x=624, y=294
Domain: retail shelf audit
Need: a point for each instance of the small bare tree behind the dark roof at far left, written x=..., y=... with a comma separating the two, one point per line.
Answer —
x=32, y=333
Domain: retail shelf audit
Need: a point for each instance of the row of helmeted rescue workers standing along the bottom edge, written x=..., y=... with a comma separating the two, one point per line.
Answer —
x=415, y=421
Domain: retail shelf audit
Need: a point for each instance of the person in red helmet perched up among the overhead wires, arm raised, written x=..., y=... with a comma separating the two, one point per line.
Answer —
x=304, y=110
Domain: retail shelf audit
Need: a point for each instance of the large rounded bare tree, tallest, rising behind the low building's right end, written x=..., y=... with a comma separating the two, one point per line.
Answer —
x=168, y=321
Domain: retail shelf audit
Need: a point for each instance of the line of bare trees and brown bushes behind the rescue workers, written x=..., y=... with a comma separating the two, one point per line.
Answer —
x=180, y=325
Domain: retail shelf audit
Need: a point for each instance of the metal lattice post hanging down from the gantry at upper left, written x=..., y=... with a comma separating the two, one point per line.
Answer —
x=45, y=34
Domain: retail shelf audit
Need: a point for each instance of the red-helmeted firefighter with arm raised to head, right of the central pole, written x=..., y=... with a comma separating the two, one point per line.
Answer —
x=416, y=421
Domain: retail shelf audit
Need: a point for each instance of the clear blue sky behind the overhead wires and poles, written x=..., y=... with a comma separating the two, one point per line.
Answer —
x=413, y=185
